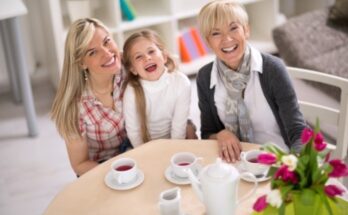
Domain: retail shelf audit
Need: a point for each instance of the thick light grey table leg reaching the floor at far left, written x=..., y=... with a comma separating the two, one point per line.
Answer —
x=23, y=75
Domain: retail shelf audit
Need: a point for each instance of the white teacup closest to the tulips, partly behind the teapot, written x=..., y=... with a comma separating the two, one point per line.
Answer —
x=249, y=159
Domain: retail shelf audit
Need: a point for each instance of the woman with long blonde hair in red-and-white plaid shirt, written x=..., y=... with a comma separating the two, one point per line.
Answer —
x=87, y=108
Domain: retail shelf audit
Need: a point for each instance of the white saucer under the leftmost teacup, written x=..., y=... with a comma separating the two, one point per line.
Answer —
x=113, y=184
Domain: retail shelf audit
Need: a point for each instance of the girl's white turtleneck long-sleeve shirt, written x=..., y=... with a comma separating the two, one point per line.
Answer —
x=167, y=108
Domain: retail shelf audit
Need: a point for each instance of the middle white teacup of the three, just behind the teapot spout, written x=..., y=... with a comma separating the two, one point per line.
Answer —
x=181, y=162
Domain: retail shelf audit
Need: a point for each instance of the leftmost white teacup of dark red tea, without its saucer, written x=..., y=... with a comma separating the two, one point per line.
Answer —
x=124, y=170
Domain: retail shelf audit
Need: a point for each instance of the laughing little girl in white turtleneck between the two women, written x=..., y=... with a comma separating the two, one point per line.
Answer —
x=157, y=98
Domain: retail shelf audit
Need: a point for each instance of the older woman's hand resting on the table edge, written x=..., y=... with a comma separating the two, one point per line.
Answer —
x=229, y=146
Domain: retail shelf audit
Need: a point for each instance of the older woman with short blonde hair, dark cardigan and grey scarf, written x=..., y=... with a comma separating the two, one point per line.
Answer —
x=244, y=95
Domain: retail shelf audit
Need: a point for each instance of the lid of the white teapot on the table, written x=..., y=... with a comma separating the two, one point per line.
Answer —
x=220, y=170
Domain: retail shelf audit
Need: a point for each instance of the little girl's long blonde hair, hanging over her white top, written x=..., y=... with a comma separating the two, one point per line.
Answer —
x=134, y=80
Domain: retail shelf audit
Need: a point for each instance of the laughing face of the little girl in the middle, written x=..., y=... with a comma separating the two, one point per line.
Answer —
x=147, y=60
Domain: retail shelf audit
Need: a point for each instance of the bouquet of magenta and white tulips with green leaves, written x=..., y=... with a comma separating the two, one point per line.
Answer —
x=299, y=180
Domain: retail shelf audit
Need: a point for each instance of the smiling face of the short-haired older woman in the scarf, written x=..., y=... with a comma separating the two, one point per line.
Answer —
x=228, y=42
